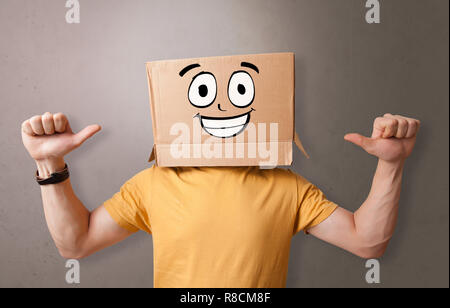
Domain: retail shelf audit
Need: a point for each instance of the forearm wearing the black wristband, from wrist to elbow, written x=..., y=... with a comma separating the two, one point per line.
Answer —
x=66, y=216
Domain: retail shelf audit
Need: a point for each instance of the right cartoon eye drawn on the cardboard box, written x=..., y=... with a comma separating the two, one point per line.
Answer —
x=241, y=89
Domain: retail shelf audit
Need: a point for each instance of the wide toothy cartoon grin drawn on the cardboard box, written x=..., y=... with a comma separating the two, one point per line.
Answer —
x=225, y=127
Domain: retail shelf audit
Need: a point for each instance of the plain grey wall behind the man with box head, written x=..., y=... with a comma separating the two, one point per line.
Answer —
x=348, y=73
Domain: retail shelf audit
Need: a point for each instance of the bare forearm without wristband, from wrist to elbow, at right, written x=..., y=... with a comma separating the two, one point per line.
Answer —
x=375, y=220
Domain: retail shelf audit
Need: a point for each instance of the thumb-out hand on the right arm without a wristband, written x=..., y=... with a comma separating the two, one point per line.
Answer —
x=393, y=138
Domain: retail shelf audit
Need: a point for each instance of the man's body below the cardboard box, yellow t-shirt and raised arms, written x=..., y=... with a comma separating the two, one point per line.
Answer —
x=224, y=226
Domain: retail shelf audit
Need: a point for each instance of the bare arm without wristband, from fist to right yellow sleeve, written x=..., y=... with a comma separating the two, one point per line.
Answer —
x=367, y=232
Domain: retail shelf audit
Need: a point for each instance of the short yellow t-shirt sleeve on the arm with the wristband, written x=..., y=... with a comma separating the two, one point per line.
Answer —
x=127, y=208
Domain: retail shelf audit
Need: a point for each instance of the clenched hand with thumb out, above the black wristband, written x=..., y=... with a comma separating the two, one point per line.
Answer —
x=49, y=137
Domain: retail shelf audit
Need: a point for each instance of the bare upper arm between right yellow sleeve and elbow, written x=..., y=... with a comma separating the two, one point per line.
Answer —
x=339, y=230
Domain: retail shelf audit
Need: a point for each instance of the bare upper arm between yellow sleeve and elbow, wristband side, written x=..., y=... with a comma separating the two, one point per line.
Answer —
x=103, y=232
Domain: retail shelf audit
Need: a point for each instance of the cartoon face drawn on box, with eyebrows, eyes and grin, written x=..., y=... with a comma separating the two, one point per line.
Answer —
x=202, y=94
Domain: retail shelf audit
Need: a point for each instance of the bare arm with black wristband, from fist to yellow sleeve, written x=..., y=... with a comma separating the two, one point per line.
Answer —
x=76, y=231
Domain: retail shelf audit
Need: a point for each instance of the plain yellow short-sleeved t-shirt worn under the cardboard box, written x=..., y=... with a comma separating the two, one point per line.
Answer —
x=219, y=227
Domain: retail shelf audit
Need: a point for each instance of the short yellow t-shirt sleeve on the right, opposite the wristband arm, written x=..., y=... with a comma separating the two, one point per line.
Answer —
x=312, y=206
